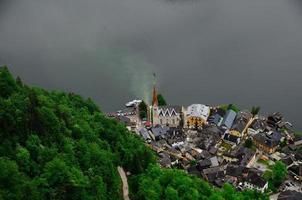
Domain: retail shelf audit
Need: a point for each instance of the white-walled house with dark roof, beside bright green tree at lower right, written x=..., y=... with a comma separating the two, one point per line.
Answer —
x=256, y=182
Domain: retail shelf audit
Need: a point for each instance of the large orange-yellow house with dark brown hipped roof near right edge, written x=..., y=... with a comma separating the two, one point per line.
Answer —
x=267, y=141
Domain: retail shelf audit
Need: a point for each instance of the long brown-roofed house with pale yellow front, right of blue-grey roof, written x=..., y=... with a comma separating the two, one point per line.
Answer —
x=240, y=123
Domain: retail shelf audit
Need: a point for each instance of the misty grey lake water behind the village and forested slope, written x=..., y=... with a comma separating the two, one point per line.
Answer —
x=247, y=52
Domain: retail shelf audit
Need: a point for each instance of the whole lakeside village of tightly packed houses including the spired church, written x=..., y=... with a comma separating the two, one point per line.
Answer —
x=220, y=144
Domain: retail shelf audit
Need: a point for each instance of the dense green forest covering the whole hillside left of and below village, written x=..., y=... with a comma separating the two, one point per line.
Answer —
x=56, y=145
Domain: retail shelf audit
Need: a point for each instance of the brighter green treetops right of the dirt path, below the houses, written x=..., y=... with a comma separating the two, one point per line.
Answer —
x=157, y=184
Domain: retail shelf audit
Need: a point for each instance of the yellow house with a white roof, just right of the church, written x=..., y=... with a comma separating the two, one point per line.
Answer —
x=197, y=115
